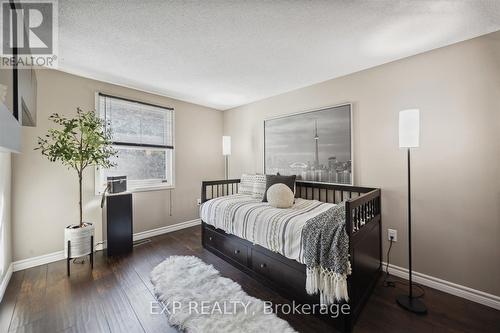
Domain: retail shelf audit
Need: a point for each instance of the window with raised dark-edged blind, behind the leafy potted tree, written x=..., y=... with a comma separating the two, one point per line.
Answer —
x=143, y=136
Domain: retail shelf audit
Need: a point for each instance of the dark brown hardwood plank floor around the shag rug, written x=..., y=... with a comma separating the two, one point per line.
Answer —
x=116, y=297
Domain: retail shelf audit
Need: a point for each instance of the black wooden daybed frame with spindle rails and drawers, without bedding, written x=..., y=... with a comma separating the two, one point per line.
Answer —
x=286, y=276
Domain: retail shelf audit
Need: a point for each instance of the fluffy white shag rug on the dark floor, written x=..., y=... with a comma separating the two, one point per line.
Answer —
x=196, y=299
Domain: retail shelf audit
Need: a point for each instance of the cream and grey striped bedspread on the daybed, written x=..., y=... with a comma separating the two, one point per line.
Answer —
x=279, y=230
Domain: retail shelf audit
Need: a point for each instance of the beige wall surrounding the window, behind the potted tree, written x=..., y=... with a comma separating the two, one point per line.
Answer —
x=45, y=194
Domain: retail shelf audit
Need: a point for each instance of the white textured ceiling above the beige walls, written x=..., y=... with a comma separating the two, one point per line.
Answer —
x=227, y=53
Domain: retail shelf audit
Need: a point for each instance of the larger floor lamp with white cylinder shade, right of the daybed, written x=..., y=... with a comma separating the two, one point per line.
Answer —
x=409, y=130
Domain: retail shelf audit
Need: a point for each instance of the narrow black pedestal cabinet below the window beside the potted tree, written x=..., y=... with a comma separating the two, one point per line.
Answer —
x=119, y=224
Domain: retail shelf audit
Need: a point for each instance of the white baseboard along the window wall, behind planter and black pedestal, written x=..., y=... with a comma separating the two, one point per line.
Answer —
x=59, y=255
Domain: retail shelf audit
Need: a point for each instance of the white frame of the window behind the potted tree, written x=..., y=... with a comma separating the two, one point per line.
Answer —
x=170, y=150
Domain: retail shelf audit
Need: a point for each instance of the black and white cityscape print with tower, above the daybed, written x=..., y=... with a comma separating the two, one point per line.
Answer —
x=315, y=146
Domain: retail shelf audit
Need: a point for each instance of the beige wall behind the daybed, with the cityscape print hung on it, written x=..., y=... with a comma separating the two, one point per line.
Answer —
x=456, y=171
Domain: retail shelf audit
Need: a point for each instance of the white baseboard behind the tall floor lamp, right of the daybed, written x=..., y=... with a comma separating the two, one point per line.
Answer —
x=470, y=294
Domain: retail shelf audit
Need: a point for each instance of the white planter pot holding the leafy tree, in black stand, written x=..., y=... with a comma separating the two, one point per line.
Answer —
x=80, y=239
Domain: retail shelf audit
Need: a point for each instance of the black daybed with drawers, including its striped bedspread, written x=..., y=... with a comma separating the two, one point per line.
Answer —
x=273, y=254
